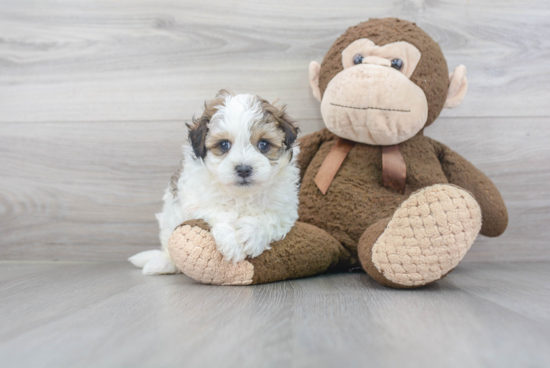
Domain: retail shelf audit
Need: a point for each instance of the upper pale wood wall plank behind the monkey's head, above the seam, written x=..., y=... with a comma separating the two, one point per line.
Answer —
x=99, y=60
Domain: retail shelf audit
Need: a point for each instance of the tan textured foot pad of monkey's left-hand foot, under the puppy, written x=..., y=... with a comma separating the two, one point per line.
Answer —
x=194, y=252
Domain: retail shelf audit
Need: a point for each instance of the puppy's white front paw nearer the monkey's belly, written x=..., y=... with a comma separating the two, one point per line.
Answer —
x=252, y=236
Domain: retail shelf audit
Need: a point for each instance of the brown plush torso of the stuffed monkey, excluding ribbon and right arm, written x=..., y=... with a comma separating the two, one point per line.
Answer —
x=357, y=197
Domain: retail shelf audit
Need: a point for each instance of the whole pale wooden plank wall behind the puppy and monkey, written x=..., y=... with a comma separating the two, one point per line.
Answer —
x=94, y=95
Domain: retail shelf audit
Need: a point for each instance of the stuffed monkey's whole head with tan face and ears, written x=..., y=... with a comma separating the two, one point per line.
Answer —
x=383, y=81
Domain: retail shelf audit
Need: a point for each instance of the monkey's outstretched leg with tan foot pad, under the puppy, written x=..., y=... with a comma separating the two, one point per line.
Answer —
x=305, y=251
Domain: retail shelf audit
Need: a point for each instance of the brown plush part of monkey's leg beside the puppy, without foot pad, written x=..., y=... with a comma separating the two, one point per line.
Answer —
x=305, y=251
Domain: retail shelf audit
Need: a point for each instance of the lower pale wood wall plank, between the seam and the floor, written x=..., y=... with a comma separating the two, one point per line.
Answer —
x=90, y=190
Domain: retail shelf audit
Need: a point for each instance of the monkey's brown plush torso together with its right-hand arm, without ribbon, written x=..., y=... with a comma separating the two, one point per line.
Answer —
x=358, y=199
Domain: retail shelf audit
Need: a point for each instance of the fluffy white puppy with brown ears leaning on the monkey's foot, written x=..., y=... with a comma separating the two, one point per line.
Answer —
x=239, y=175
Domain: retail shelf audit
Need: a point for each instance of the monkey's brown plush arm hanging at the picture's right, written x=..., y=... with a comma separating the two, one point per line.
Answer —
x=462, y=173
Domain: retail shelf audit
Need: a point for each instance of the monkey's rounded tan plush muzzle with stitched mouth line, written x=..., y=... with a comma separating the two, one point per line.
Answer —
x=374, y=105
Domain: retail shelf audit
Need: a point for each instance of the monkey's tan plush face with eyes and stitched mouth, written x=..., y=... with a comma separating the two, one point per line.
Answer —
x=372, y=100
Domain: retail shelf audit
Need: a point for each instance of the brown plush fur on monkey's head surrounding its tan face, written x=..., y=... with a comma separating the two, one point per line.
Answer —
x=431, y=73
